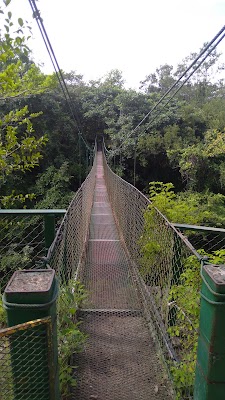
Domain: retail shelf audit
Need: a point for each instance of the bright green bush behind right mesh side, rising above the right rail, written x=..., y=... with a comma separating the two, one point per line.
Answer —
x=185, y=207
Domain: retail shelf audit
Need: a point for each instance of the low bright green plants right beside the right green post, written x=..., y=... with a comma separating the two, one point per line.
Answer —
x=185, y=328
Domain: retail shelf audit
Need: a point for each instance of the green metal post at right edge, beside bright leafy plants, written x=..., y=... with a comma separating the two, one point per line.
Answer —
x=210, y=368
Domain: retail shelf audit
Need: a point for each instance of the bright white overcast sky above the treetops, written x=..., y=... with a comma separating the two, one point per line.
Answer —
x=94, y=36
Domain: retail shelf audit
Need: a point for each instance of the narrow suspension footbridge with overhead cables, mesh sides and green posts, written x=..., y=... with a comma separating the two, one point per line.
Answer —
x=141, y=320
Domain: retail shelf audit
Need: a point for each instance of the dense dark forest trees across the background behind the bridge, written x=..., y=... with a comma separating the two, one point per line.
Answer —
x=40, y=166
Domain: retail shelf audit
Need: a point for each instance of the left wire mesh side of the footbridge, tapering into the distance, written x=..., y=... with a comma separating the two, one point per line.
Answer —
x=67, y=252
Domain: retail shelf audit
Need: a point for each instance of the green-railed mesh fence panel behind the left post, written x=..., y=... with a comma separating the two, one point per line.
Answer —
x=24, y=239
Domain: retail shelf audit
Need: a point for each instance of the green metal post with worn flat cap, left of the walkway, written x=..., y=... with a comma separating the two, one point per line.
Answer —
x=30, y=295
